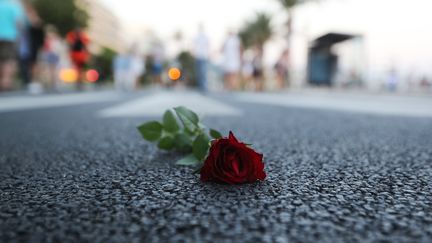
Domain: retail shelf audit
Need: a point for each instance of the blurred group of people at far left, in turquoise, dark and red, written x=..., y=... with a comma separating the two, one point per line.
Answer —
x=32, y=49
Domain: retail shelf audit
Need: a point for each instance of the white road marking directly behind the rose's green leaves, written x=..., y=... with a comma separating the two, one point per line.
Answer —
x=156, y=104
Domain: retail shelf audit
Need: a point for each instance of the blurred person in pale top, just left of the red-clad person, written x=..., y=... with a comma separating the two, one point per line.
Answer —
x=52, y=50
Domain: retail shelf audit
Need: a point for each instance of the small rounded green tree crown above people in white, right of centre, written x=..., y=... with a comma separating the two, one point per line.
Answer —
x=257, y=31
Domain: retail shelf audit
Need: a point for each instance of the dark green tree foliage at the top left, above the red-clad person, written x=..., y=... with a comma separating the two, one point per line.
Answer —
x=65, y=15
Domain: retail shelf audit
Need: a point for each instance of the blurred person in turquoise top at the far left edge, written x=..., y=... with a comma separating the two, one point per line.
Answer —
x=11, y=18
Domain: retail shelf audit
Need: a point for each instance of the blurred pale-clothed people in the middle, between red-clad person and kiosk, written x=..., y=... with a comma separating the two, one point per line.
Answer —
x=241, y=68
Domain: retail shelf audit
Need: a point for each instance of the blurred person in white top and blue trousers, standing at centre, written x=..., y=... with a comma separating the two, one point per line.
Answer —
x=201, y=54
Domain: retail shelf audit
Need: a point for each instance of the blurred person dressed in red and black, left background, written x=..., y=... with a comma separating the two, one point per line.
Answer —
x=78, y=51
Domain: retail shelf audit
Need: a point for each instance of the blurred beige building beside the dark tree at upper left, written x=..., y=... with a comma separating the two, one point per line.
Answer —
x=104, y=27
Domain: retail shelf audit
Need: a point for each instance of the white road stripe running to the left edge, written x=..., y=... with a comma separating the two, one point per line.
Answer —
x=54, y=100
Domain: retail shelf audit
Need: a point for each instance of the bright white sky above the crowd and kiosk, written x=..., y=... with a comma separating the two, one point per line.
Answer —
x=397, y=32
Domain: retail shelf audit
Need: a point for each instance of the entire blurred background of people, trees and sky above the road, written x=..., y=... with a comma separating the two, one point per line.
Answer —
x=257, y=45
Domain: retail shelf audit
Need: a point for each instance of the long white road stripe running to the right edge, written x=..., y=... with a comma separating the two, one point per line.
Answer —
x=414, y=106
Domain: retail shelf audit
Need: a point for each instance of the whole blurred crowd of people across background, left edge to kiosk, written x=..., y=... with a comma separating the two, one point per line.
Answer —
x=33, y=50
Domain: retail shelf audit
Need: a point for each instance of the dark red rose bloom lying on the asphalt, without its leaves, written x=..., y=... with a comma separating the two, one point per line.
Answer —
x=232, y=162
